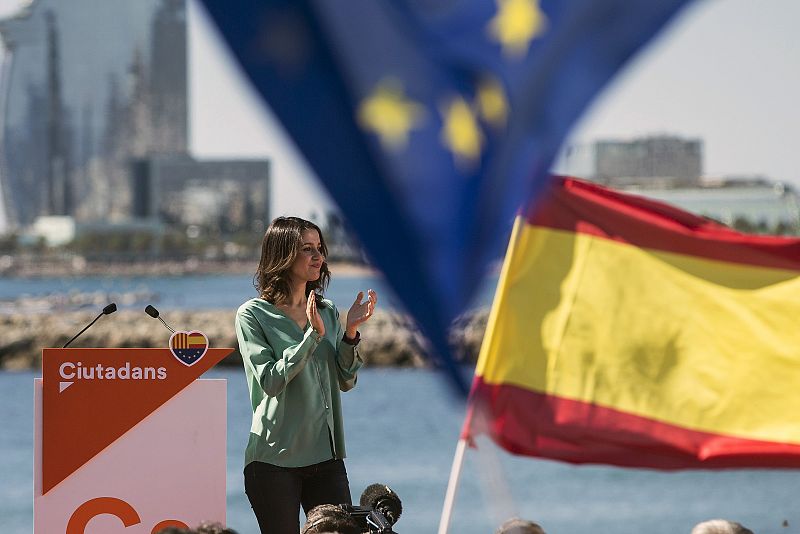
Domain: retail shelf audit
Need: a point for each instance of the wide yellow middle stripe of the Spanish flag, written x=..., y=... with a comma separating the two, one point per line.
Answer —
x=702, y=344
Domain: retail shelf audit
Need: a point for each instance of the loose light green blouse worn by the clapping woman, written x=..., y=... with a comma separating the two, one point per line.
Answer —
x=294, y=377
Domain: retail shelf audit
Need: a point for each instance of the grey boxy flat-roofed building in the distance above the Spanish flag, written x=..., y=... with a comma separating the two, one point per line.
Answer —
x=655, y=161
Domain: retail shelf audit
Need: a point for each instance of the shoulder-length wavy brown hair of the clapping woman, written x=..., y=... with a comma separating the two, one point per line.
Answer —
x=279, y=249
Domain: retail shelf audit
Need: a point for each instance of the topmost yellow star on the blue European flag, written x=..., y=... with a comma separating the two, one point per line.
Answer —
x=516, y=24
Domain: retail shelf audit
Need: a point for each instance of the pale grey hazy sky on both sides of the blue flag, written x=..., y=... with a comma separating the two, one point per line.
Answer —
x=724, y=72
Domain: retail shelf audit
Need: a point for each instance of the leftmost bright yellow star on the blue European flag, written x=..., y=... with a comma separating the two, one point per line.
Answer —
x=390, y=115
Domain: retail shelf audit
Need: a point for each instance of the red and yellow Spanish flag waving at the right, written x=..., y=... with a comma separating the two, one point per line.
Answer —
x=628, y=332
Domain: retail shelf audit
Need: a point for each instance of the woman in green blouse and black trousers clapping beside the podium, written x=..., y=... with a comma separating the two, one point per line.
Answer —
x=296, y=358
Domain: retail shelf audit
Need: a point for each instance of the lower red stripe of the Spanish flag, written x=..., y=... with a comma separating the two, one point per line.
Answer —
x=535, y=424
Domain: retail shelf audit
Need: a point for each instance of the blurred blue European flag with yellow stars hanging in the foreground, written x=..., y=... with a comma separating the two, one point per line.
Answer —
x=430, y=121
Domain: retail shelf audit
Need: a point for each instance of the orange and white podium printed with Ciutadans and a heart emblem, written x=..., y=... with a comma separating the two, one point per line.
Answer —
x=129, y=440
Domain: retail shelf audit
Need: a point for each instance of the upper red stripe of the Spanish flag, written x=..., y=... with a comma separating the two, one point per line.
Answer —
x=583, y=207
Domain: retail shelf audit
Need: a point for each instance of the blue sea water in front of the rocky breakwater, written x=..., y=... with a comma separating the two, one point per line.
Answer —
x=402, y=427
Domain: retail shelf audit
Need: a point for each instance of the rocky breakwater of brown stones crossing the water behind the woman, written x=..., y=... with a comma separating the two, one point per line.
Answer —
x=389, y=339
